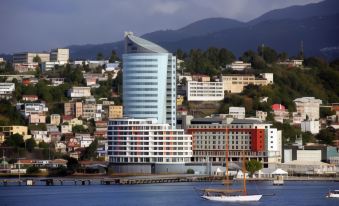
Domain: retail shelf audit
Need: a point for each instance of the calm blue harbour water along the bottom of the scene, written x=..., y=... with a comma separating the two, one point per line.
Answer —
x=292, y=193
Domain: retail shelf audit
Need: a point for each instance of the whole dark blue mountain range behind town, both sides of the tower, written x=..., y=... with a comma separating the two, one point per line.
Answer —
x=283, y=29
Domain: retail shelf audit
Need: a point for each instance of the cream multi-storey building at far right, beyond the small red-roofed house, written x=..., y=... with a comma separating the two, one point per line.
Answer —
x=307, y=108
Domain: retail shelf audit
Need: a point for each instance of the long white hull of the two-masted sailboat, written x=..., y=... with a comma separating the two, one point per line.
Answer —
x=235, y=198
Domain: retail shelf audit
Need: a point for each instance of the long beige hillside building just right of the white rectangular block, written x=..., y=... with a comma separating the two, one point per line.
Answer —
x=236, y=83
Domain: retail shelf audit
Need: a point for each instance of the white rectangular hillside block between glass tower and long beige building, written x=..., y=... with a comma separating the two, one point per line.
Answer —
x=204, y=91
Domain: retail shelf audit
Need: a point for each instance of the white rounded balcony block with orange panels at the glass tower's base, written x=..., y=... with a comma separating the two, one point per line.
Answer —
x=145, y=141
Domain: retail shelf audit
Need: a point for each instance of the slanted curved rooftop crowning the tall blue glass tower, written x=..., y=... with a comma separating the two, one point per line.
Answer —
x=134, y=44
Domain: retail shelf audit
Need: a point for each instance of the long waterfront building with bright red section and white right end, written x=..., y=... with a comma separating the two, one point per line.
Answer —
x=250, y=138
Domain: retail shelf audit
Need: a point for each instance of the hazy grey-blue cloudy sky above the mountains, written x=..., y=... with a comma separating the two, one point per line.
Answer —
x=40, y=25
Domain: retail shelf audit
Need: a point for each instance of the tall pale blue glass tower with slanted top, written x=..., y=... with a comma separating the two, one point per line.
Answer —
x=149, y=81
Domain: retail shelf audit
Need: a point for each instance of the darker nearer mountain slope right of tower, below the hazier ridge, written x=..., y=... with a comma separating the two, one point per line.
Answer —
x=282, y=35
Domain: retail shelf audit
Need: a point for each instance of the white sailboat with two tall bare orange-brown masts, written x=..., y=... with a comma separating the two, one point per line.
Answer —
x=229, y=195
